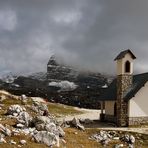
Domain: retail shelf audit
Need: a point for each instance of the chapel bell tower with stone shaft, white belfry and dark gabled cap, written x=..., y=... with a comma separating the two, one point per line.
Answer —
x=124, y=81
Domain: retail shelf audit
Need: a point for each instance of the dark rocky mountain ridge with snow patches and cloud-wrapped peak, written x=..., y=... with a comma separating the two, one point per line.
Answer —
x=69, y=85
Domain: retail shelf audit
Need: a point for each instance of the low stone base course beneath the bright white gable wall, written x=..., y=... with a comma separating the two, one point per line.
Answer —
x=137, y=120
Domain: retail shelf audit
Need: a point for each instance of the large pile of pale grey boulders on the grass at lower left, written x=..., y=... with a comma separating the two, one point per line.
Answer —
x=42, y=128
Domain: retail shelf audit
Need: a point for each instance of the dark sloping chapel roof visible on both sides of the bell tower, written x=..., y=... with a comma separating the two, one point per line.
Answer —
x=111, y=92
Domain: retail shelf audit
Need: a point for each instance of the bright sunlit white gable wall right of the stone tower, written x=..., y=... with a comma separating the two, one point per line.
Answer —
x=138, y=105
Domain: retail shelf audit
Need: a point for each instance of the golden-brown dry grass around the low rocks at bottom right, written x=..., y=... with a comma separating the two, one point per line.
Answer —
x=80, y=139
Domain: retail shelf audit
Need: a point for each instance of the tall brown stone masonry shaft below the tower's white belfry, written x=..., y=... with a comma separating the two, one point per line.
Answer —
x=123, y=83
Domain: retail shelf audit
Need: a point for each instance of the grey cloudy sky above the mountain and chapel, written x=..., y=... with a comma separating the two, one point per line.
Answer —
x=84, y=33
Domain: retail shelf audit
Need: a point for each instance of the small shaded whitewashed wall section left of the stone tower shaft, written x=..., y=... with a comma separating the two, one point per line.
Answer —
x=109, y=107
